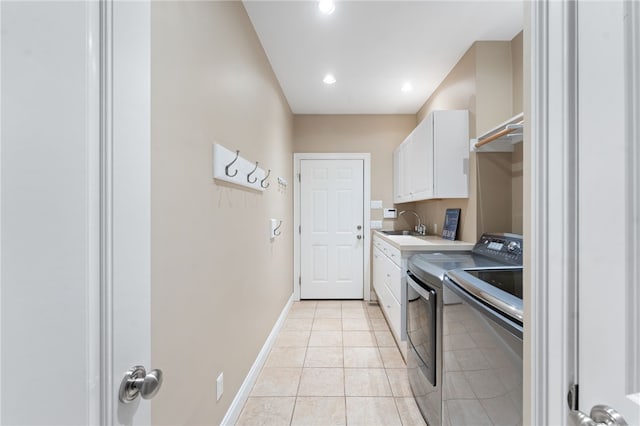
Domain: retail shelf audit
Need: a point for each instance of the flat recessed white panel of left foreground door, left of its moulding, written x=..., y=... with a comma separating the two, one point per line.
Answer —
x=49, y=243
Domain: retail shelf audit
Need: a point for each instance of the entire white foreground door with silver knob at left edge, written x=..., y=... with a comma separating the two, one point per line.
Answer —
x=74, y=210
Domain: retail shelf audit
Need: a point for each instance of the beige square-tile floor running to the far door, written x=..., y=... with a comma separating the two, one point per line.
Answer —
x=333, y=363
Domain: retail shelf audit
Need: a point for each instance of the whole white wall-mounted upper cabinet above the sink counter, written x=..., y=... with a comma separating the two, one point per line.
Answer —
x=433, y=161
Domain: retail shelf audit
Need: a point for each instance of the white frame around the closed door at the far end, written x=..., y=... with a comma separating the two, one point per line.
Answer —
x=366, y=200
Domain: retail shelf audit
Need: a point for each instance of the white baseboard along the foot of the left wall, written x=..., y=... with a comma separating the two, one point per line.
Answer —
x=243, y=393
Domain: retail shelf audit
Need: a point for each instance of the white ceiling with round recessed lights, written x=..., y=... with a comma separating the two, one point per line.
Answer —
x=373, y=48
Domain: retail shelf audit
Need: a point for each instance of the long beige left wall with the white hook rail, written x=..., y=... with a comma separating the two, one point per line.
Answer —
x=218, y=282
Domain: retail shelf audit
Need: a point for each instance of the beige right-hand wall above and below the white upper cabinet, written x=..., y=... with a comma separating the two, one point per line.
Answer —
x=487, y=81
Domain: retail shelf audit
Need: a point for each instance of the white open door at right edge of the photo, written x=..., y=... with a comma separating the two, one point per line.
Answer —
x=608, y=286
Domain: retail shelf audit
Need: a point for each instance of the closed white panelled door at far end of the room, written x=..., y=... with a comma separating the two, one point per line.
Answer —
x=331, y=229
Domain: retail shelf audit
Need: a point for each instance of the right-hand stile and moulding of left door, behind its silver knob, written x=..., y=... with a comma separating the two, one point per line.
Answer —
x=126, y=208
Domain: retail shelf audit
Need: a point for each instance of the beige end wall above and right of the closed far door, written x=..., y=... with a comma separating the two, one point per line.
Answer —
x=376, y=134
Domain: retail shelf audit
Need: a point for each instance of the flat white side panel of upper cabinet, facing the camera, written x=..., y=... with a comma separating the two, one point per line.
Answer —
x=451, y=154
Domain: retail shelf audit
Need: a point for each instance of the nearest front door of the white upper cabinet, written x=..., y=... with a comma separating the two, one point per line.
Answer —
x=420, y=161
